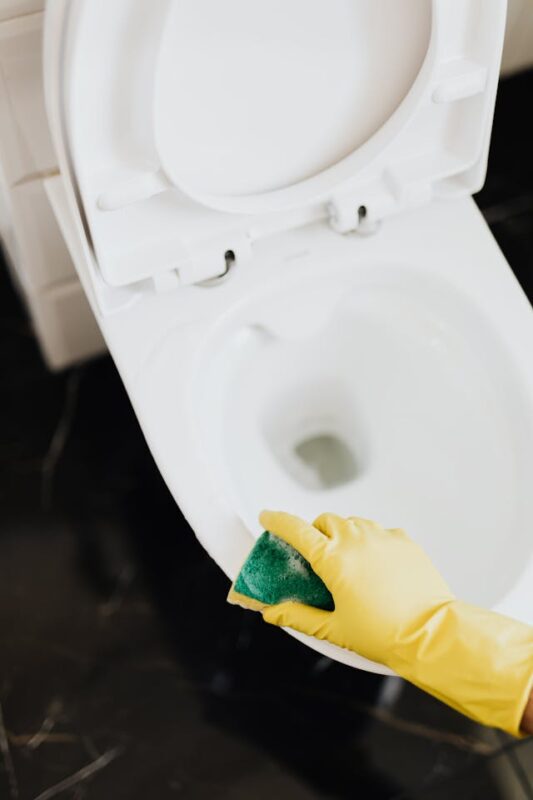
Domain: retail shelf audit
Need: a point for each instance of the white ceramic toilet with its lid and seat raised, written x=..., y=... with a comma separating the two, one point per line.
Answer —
x=269, y=209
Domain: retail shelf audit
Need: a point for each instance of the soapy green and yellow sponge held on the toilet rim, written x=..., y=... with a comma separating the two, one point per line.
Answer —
x=273, y=572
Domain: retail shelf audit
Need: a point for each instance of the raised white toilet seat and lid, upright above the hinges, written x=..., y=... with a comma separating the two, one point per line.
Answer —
x=199, y=127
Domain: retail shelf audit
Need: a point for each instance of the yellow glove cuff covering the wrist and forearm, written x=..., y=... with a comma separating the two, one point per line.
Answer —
x=477, y=661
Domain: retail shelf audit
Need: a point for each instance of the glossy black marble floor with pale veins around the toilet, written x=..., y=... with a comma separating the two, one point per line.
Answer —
x=123, y=672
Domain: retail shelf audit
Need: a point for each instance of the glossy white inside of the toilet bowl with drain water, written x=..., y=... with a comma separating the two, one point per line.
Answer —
x=402, y=406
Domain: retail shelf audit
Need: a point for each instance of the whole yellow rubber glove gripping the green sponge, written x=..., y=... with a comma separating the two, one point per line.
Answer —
x=392, y=606
